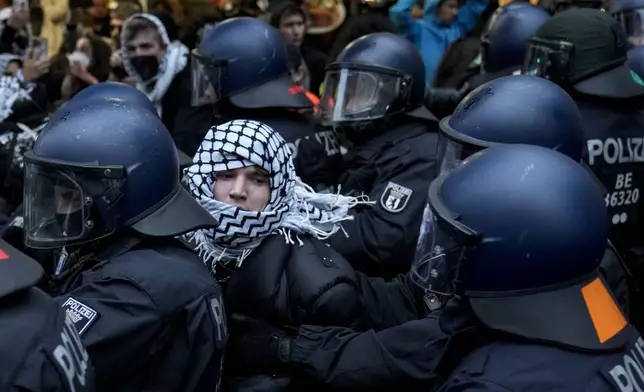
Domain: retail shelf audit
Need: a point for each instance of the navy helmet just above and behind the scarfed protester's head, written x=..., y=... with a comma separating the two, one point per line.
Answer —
x=244, y=60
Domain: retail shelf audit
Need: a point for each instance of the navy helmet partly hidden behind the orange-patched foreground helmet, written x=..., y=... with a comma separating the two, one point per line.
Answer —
x=511, y=110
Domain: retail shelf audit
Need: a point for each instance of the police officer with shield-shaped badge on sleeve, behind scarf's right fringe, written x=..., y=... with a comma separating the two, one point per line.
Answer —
x=373, y=96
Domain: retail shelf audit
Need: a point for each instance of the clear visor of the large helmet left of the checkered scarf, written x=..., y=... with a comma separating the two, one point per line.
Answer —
x=61, y=205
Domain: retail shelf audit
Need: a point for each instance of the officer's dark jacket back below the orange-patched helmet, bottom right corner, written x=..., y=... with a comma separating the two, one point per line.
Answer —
x=515, y=365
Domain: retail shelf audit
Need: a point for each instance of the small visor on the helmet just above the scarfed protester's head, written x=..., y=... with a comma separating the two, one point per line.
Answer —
x=206, y=78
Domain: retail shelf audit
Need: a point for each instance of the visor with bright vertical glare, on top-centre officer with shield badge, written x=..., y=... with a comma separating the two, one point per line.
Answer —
x=361, y=93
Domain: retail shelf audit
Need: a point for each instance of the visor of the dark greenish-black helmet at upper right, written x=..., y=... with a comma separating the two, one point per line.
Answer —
x=547, y=59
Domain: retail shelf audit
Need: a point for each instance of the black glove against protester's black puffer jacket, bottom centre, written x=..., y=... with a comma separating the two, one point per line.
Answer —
x=256, y=347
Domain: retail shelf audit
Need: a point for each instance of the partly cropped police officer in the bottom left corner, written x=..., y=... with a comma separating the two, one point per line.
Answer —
x=40, y=349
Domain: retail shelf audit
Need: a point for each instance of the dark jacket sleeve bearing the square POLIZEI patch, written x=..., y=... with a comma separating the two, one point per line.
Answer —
x=115, y=318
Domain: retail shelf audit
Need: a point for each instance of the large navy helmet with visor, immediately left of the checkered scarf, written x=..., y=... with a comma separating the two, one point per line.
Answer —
x=101, y=168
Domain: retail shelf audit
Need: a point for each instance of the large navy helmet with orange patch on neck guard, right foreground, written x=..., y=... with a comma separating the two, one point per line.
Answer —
x=522, y=229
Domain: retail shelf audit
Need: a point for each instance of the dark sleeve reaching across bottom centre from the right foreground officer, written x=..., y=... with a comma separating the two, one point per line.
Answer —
x=345, y=360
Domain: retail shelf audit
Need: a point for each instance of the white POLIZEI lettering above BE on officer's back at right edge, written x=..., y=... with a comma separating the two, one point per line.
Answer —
x=616, y=150
